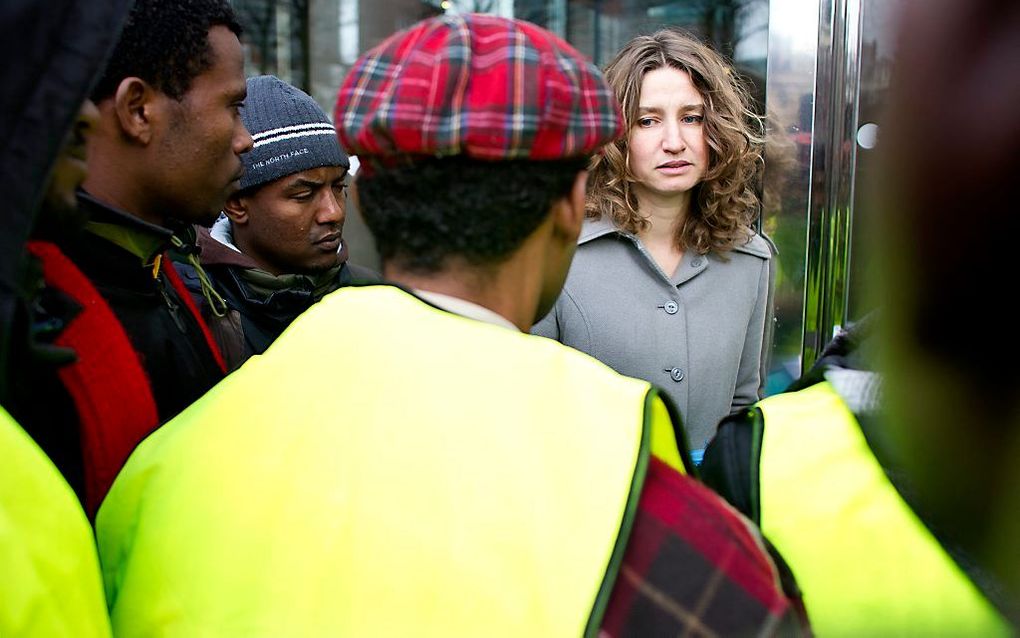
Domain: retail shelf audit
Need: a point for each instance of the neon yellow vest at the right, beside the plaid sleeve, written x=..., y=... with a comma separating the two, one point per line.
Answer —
x=866, y=564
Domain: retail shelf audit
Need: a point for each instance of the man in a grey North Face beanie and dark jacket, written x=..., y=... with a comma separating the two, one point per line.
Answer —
x=279, y=247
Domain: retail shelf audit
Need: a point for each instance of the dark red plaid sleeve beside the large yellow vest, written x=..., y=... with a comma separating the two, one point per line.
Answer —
x=694, y=567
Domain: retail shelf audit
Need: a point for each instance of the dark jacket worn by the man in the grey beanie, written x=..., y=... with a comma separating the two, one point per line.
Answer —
x=256, y=316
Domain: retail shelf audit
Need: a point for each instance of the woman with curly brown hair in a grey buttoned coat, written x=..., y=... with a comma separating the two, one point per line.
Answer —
x=671, y=282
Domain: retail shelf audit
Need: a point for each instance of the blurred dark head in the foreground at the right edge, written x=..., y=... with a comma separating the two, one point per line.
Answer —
x=954, y=152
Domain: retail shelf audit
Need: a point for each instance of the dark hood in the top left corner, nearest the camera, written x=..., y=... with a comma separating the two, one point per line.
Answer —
x=55, y=52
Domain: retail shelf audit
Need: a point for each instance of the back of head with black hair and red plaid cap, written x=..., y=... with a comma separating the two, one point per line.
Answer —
x=469, y=128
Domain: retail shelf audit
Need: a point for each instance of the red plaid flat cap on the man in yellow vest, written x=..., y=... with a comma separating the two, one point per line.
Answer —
x=482, y=86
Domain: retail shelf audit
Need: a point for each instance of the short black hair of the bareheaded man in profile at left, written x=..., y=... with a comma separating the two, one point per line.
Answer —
x=166, y=44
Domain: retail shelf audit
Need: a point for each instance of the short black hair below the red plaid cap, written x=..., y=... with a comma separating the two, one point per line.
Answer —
x=477, y=211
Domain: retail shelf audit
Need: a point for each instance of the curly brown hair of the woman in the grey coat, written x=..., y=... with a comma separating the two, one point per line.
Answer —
x=726, y=203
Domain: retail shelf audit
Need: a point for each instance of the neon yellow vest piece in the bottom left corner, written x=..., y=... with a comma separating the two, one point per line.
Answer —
x=50, y=583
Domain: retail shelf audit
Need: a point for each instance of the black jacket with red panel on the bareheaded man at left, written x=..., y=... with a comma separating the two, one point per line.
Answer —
x=120, y=351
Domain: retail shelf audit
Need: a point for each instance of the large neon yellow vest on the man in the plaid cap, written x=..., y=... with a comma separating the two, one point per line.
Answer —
x=386, y=469
